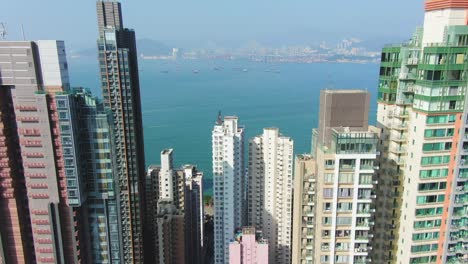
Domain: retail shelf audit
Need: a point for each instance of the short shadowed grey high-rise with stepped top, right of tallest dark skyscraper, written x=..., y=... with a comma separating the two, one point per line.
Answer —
x=174, y=212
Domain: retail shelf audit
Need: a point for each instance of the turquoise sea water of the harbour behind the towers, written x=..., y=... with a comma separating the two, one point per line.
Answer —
x=180, y=106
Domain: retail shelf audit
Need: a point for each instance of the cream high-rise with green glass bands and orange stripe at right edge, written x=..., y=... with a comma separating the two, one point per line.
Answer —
x=422, y=113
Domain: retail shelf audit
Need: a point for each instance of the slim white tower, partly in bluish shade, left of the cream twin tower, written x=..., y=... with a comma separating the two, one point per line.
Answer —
x=228, y=182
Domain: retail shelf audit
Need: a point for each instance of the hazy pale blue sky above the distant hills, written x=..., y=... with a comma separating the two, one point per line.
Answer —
x=197, y=23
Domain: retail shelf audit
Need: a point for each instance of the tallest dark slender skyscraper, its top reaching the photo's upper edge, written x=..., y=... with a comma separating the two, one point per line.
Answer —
x=121, y=91
